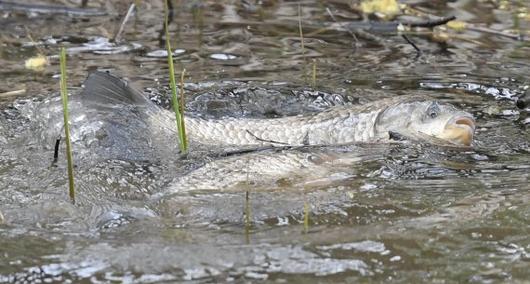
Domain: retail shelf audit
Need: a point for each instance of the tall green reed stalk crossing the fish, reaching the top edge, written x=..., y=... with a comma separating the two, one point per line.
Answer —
x=176, y=106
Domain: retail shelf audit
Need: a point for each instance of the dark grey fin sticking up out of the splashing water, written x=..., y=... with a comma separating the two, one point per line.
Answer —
x=105, y=89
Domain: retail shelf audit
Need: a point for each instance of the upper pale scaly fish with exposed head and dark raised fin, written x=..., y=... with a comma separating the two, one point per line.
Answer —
x=411, y=116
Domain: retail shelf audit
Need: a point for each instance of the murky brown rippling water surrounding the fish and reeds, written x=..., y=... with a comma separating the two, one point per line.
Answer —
x=403, y=212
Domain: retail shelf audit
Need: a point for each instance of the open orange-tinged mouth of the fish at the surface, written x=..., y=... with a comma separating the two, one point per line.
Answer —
x=459, y=130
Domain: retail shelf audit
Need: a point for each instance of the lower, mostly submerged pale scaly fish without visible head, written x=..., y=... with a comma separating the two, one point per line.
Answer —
x=301, y=168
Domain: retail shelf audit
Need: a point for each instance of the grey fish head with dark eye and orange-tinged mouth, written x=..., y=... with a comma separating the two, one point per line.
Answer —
x=431, y=118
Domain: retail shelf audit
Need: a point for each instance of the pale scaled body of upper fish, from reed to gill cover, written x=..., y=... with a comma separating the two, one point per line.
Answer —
x=338, y=126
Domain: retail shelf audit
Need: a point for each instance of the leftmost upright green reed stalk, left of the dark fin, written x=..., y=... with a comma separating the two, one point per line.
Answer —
x=64, y=97
